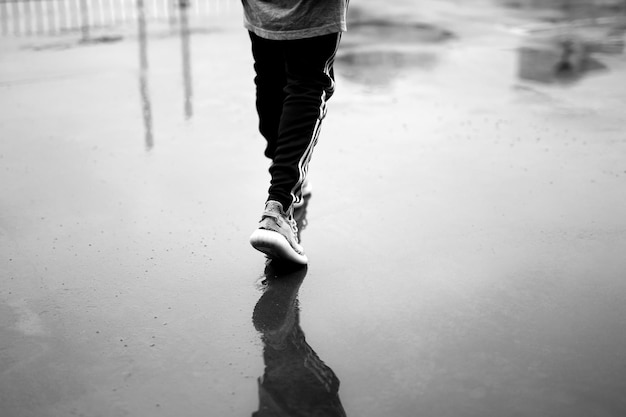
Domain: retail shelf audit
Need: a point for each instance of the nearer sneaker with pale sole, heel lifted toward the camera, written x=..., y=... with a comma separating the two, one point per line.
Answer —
x=277, y=235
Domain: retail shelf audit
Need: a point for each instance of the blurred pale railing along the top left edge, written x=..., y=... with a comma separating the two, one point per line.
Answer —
x=50, y=17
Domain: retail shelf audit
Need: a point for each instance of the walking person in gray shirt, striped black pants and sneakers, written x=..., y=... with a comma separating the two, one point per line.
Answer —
x=293, y=45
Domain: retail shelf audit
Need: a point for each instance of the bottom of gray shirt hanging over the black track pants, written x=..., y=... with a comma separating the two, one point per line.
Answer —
x=294, y=19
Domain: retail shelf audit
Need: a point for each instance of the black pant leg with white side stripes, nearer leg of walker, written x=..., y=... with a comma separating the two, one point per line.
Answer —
x=310, y=83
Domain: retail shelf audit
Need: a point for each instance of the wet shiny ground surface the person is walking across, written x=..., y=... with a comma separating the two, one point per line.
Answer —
x=466, y=232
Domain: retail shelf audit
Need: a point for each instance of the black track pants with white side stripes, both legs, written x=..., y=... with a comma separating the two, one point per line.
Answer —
x=294, y=80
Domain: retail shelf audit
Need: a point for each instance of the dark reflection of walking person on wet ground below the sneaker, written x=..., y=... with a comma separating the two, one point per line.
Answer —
x=296, y=382
